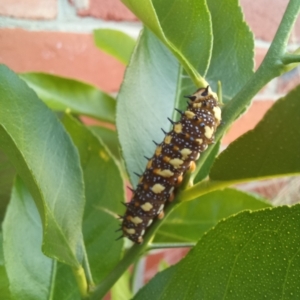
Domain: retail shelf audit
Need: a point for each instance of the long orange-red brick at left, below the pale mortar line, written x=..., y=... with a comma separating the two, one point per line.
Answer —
x=66, y=54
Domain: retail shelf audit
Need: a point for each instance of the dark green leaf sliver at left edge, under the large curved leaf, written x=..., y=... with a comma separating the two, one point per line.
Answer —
x=7, y=174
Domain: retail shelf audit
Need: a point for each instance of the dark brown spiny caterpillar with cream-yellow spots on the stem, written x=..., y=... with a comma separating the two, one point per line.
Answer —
x=177, y=154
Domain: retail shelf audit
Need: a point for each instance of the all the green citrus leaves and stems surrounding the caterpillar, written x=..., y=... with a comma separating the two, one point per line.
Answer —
x=60, y=210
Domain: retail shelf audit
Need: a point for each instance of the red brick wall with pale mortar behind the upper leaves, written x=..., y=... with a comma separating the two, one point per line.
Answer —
x=54, y=36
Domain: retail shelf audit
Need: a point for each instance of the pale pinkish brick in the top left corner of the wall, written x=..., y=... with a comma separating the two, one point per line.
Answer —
x=29, y=9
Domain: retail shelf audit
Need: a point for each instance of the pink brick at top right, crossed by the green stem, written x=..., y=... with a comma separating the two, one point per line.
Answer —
x=264, y=16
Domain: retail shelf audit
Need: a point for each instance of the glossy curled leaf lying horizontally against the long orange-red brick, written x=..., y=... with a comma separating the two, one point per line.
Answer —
x=63, y=94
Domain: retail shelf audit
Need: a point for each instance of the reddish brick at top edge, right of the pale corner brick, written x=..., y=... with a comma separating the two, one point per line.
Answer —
x=108, y=10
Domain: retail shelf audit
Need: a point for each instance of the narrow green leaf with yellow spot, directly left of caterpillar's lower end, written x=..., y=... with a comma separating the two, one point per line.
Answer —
x=104, y=194
